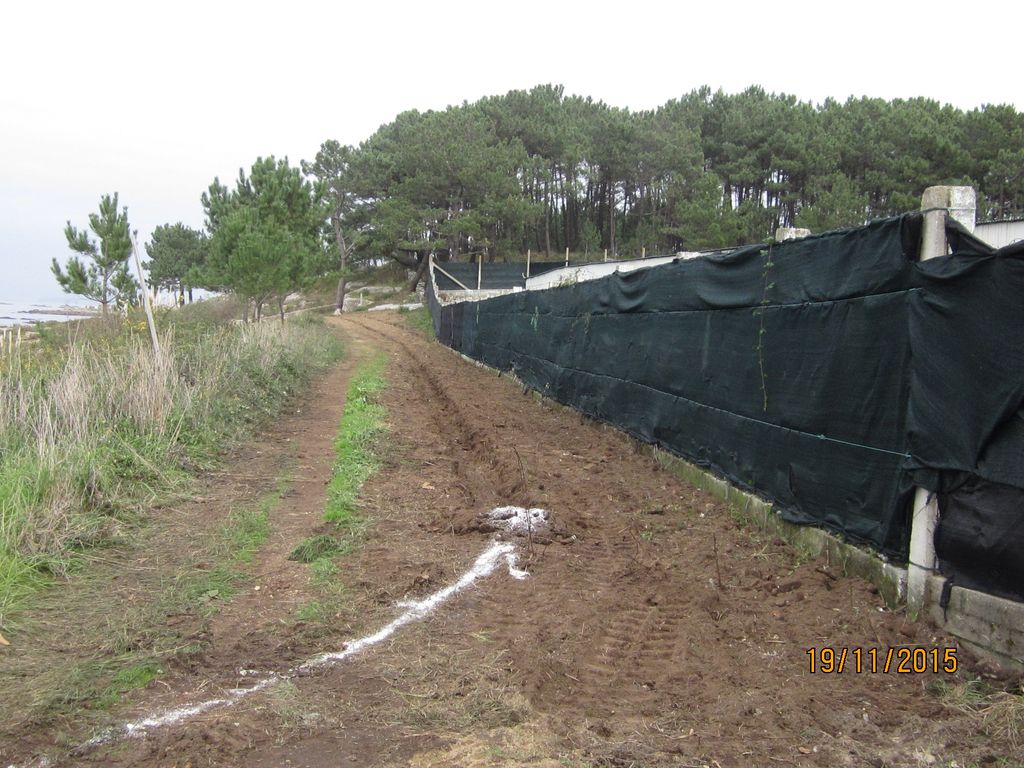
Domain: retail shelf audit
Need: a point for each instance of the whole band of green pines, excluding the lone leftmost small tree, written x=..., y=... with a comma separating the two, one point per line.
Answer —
x=544, y=172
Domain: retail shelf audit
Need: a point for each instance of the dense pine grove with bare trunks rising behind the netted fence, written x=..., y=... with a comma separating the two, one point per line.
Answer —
x=545, y=172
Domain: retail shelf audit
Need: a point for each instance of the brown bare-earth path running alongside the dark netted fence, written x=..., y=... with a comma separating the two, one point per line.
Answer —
x=653, y=629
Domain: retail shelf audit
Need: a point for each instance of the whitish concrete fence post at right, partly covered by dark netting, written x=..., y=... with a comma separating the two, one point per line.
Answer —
x=937, y=203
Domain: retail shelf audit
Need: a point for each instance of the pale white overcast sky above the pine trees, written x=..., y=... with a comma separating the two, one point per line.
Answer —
x=154, y=102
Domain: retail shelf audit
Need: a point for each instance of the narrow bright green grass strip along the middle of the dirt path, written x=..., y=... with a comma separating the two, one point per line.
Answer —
x=362, y=426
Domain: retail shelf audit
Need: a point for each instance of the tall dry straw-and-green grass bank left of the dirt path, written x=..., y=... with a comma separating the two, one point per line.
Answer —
x=87, y=442
